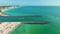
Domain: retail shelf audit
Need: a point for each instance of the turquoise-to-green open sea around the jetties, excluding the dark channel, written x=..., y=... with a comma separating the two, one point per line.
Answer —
x=50, y=14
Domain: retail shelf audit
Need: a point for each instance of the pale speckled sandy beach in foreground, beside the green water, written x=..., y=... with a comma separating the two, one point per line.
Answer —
x=6, y=28
